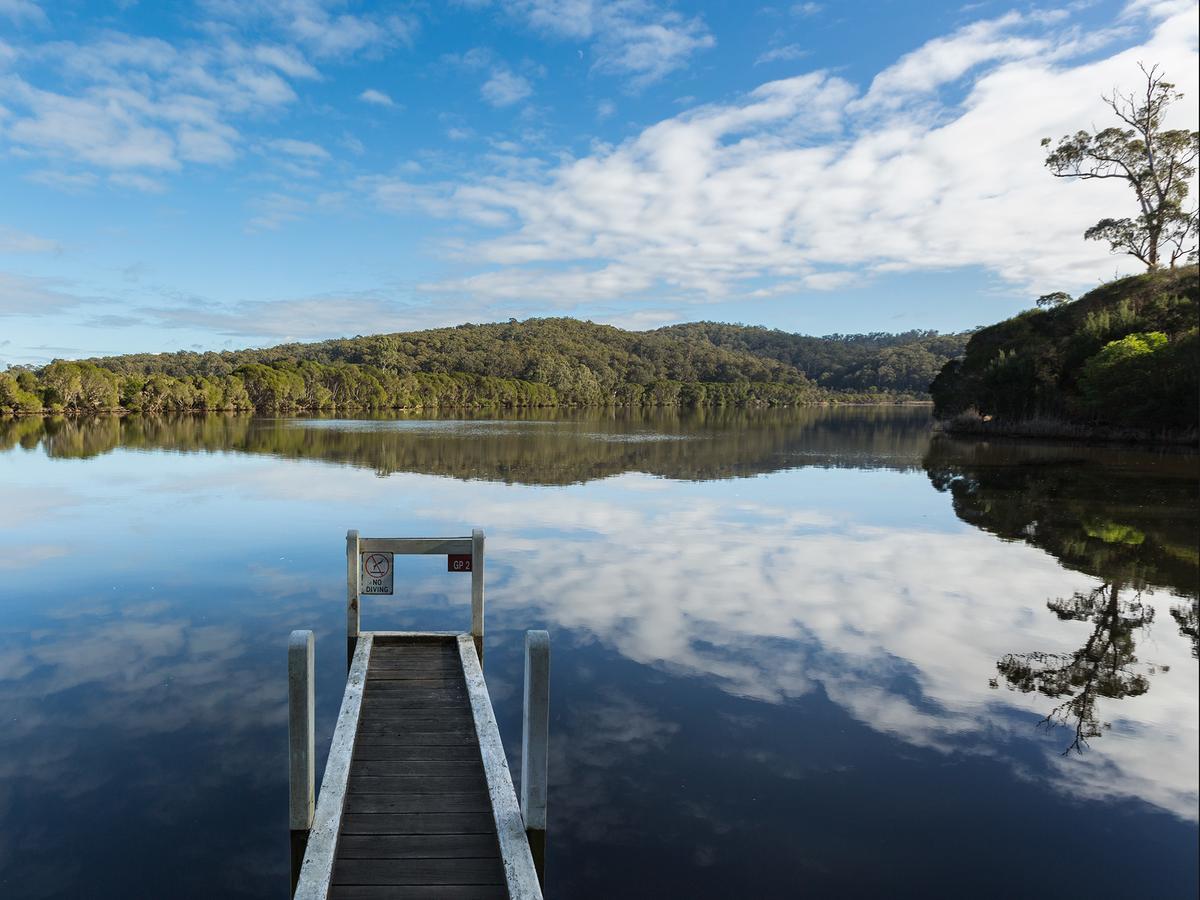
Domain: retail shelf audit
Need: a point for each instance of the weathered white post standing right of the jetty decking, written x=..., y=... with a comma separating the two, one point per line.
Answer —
x=536, y=746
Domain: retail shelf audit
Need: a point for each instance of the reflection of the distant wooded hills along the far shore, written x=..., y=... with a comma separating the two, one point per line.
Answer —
x=543, y=448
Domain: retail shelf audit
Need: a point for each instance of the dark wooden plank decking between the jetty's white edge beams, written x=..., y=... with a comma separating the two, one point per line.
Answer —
x=418, y=817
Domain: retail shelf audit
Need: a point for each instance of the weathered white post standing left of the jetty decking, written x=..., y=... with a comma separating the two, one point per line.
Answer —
x=302, y=745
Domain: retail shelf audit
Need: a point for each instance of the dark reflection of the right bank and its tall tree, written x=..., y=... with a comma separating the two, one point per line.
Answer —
x=1085, y=507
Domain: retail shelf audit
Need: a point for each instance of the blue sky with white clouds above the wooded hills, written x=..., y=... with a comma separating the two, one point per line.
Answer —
x=229, y=173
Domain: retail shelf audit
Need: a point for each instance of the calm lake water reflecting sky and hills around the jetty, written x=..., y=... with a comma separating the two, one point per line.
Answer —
x=795, y=653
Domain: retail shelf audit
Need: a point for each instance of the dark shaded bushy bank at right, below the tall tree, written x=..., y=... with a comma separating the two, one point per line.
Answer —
x=1125, y=356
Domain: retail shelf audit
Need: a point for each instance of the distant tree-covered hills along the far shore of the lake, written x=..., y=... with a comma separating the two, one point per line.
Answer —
x=539, y=363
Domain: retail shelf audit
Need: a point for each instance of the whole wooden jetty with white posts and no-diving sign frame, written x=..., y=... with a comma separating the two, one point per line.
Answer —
x=417, y=800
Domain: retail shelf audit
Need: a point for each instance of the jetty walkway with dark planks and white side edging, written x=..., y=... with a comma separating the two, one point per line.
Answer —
x=418, y=801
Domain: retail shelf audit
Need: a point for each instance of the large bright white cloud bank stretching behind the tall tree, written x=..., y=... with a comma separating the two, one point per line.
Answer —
x=807, y=183
